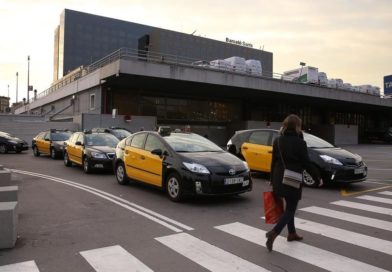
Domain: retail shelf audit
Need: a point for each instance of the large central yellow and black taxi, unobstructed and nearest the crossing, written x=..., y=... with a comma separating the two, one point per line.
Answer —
x=182, y=164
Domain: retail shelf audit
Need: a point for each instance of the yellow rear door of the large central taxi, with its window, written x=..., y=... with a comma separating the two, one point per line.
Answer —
x=132, y=157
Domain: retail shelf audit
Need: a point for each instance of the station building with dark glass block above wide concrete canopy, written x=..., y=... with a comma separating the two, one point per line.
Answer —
x=104, y=66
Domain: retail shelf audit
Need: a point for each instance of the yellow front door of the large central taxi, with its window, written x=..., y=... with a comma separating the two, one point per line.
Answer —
x=151, y=164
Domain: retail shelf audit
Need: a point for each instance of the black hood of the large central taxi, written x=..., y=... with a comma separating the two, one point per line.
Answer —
x=211, y=159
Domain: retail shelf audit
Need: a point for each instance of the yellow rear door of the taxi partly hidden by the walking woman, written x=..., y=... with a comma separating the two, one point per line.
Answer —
x=257, y=151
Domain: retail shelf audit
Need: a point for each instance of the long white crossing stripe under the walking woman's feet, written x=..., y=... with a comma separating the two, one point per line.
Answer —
x=315, y=256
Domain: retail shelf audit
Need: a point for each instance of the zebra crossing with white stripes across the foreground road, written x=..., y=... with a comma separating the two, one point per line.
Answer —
x=214, y=258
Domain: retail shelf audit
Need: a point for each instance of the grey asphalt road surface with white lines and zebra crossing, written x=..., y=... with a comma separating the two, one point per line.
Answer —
x=71, y=221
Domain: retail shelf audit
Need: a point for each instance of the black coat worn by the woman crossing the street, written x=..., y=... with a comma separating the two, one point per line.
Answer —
x=296, y=158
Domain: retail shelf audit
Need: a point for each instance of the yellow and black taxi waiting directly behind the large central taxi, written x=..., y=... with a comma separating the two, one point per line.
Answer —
x=92, y=150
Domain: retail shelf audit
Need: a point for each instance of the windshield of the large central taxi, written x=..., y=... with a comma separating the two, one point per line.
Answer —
x=184, y=142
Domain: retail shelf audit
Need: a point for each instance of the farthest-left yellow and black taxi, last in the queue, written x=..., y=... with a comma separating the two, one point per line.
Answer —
x=50, y=142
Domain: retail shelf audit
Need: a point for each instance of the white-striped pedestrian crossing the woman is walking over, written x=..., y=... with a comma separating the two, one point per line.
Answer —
x=342, y=223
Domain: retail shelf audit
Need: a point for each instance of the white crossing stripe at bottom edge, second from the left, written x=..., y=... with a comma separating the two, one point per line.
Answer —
x=113, y=258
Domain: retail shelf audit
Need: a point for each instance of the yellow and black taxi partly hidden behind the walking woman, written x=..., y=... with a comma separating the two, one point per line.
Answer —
x=333, y=163
